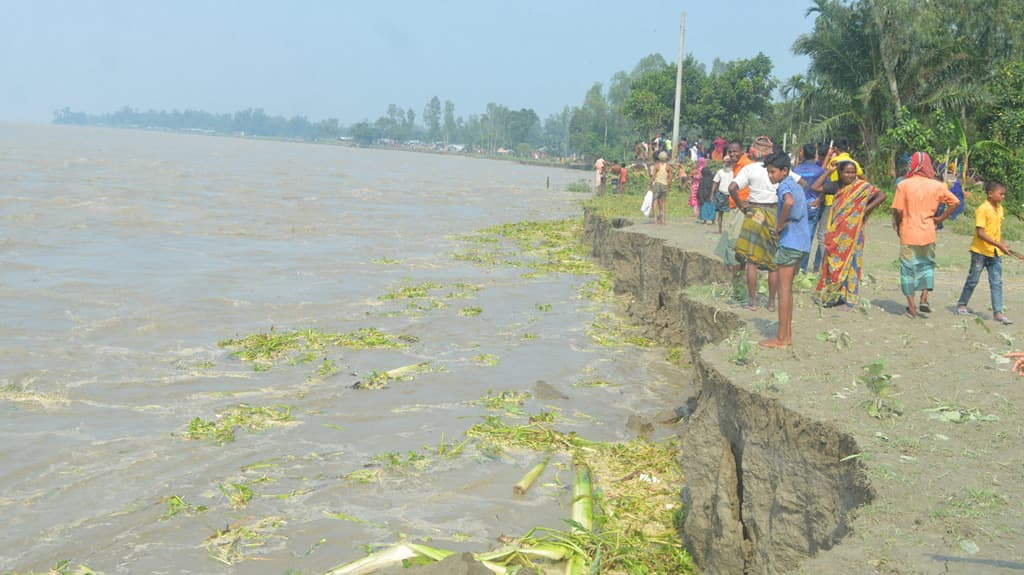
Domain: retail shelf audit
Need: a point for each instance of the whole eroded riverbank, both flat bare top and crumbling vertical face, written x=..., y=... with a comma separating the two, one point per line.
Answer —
x=876, y=445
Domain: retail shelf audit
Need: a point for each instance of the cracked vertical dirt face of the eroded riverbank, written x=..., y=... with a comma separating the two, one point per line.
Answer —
x=766, y=486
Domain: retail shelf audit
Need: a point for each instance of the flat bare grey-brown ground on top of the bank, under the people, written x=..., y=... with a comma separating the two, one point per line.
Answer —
x=942, y=439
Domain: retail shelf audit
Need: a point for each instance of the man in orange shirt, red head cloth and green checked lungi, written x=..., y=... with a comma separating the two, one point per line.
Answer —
x=918, y=197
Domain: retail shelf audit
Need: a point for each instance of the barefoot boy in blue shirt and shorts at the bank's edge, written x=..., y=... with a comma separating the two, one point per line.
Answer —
x=794, y=241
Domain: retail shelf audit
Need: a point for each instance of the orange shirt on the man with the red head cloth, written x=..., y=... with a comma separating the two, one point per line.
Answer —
x=918, y=198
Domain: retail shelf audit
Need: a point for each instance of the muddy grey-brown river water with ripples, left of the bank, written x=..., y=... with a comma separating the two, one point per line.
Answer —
x=125, y=257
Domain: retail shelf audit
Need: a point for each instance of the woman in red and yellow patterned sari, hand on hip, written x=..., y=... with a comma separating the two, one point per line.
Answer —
x=845, y=237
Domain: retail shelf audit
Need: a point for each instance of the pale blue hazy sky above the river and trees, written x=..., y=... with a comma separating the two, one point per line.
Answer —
x=350, y=60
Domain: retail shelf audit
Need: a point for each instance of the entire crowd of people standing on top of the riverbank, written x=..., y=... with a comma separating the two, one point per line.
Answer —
x=772, y=211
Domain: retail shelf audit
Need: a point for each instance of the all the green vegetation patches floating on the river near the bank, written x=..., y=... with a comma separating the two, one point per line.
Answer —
x=626, y=494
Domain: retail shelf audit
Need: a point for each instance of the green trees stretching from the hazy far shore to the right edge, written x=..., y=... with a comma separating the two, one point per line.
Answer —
x=893, y=76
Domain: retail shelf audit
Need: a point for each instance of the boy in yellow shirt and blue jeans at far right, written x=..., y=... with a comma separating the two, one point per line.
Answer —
x=986, y=252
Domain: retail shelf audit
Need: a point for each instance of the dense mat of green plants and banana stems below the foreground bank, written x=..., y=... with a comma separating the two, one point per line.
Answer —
x=626, y=505
